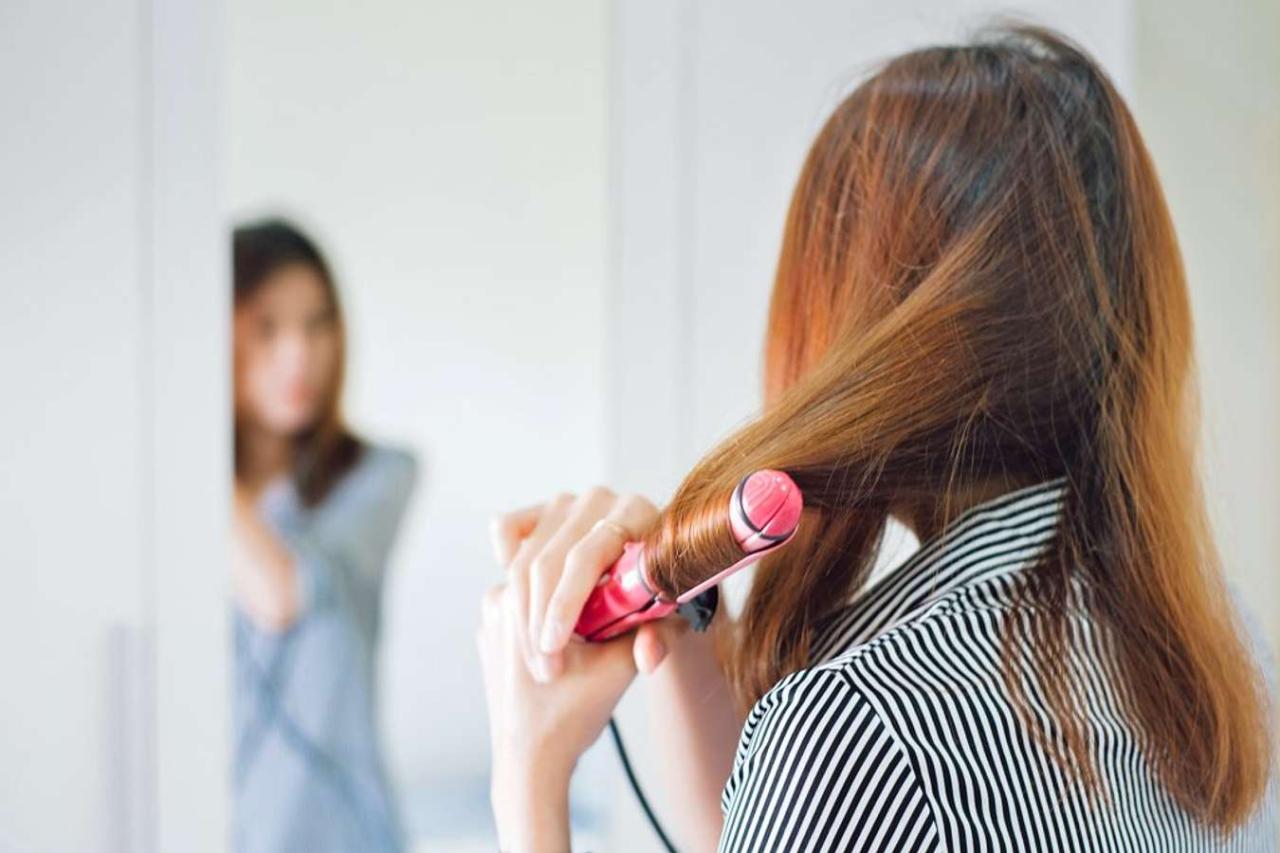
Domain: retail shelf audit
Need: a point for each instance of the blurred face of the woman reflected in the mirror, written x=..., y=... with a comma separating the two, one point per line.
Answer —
x=287, y=350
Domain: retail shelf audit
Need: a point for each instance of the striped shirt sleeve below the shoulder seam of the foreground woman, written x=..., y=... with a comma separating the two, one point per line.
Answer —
x=819, y=770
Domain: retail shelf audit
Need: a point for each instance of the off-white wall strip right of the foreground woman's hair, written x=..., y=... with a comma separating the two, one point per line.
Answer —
x=1209, y=104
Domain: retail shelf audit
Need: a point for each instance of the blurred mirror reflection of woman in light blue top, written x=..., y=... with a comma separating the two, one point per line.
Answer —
x=316, y=517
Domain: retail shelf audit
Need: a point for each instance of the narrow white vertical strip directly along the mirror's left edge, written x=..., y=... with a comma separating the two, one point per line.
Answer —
x=186, y=393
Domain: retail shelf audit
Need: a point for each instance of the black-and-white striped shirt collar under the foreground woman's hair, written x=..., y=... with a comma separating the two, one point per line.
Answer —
x=989, y=541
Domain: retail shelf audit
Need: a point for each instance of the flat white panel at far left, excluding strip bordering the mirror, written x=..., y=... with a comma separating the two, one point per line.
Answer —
x=72, y=314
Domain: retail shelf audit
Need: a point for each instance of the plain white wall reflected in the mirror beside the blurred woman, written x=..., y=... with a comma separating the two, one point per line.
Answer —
x=452, y=161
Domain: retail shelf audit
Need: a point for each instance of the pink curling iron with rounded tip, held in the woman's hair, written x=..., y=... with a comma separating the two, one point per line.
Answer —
x=764, y=513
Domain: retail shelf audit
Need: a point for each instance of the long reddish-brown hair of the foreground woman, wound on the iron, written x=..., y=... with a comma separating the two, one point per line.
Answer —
x=980, y=284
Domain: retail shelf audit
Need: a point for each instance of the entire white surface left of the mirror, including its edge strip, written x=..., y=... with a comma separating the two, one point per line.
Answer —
x=113, y=441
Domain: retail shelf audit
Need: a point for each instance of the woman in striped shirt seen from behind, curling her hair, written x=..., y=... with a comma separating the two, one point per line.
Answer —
x=980, y=327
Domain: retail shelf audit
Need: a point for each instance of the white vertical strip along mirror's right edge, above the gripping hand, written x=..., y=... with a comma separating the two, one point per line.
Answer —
x=650, y=317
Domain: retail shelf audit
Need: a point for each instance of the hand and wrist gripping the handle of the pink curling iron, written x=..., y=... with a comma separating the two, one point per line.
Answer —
x=540, y=727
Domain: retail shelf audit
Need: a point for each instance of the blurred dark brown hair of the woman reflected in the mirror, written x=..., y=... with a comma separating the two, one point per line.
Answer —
x=327, y=450
